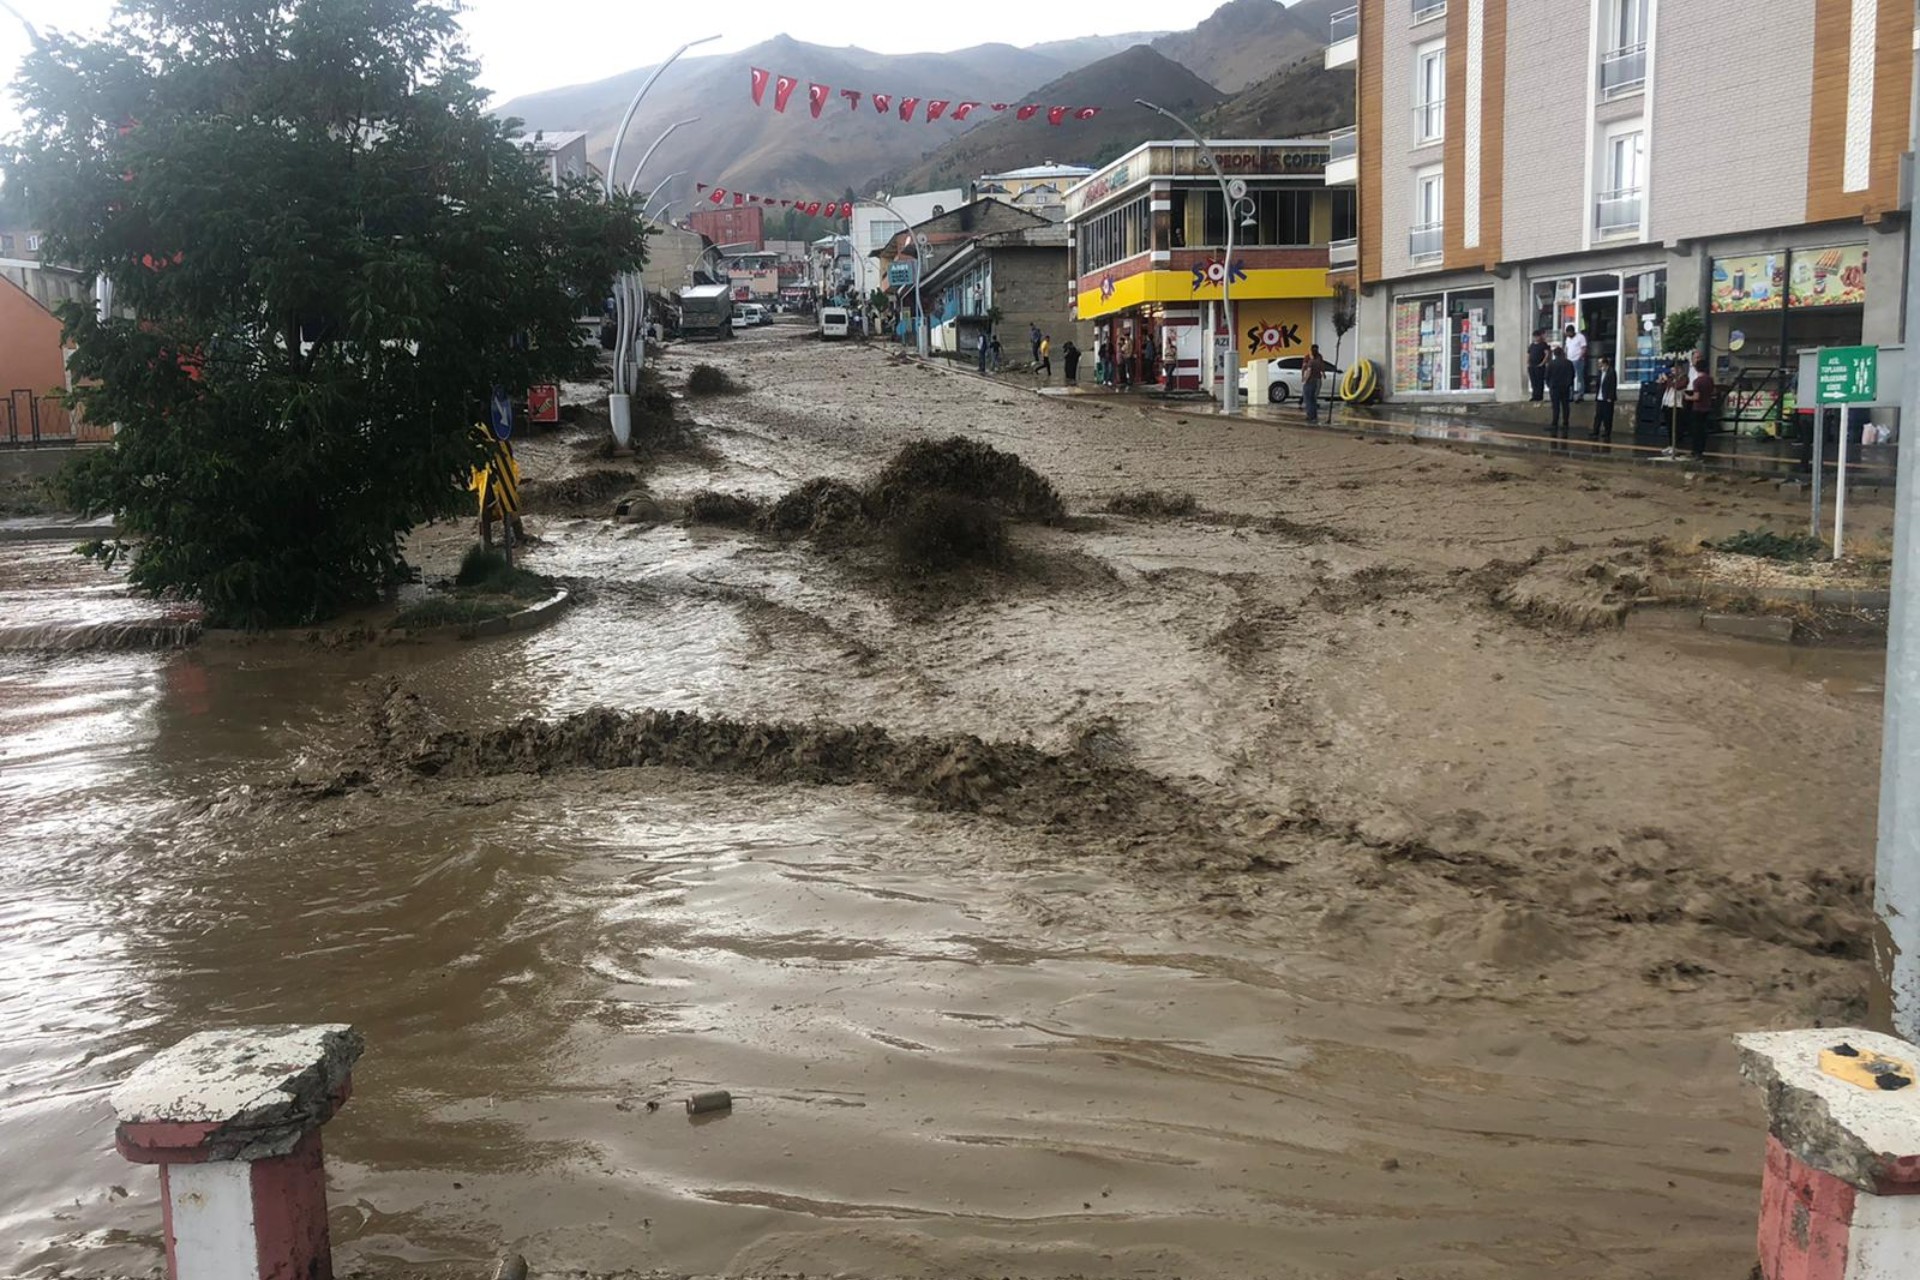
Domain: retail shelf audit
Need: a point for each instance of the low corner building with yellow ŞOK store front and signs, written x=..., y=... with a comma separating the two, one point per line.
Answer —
x=1149, y=254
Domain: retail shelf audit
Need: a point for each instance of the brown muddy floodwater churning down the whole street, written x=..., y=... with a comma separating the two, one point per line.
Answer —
x=1341, y=880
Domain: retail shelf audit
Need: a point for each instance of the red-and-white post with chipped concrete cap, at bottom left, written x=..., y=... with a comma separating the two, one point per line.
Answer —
x=233, y=1120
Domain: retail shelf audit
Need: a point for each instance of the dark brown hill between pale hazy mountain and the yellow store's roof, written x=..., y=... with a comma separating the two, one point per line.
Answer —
x=1113, y=83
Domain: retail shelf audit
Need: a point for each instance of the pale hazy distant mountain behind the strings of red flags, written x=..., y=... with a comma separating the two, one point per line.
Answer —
x=738, y=145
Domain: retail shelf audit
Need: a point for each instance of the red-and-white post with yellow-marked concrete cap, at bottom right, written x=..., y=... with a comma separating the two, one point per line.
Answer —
x=1840, y=1198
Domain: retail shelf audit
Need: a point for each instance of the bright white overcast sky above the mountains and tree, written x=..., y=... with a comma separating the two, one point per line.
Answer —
x=527, y=45
